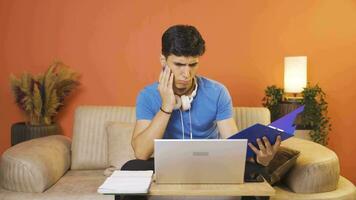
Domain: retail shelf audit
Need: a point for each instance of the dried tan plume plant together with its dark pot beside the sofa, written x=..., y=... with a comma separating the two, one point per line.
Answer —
x=41, y=97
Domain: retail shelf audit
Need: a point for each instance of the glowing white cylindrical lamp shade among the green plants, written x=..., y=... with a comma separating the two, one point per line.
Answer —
x=295, y=74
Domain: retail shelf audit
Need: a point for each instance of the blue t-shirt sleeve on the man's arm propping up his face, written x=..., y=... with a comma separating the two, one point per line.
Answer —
x=144, y=107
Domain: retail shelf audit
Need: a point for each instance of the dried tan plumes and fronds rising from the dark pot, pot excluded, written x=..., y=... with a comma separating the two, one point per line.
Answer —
x=42, y=96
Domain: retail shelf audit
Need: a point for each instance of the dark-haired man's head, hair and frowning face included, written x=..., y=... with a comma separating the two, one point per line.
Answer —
x=182, y=45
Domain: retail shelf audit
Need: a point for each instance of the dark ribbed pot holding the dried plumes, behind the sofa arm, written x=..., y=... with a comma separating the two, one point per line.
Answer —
x=21, y=131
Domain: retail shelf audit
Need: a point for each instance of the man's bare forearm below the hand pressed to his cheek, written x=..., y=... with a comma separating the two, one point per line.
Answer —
x=143, y=143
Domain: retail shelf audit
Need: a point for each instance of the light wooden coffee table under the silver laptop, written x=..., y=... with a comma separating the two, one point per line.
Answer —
x=261, y=189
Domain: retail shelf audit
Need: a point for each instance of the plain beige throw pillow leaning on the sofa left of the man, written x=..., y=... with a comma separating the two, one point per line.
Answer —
x=120, y=151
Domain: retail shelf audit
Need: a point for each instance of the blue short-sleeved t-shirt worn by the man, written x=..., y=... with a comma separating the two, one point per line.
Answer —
x=212, y=103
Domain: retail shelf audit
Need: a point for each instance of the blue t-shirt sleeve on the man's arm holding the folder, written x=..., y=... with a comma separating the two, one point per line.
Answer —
x=224, y=105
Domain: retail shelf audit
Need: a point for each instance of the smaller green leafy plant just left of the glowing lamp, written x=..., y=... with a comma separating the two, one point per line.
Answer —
x=273, y=98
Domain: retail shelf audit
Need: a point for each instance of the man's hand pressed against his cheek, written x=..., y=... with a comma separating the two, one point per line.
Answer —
x=165, y=88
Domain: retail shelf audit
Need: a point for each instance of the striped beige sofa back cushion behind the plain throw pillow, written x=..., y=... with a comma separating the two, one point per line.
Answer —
x=89, y=147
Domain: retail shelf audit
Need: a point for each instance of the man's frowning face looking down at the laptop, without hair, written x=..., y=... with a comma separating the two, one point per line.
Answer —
x=184, y=70
